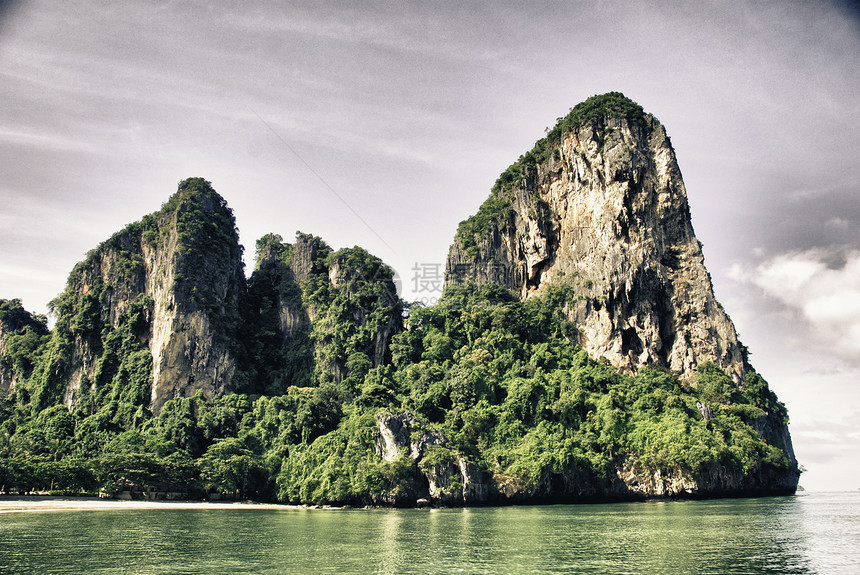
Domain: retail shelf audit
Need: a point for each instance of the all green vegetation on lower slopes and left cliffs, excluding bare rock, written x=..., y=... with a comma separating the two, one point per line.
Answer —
x=322, y=349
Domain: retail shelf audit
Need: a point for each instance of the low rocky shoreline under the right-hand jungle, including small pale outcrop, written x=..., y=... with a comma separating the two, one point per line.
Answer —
x=448, y=479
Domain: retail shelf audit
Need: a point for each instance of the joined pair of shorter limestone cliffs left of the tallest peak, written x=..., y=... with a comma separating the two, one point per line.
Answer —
x=162, y=309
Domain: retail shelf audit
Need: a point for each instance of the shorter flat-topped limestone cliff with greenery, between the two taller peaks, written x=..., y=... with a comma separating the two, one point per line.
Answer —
x=319, y=315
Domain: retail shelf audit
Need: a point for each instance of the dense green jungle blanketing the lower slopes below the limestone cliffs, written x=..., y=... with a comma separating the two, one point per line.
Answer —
x=502, y=379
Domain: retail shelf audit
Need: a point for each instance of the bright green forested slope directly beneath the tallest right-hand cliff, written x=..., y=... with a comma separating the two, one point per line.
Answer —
x=506, y=384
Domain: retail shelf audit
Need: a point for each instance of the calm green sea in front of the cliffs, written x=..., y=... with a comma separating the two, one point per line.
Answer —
x=811, y=533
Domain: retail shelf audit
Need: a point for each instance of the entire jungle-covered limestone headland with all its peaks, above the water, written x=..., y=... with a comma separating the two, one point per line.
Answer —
x=169, y=373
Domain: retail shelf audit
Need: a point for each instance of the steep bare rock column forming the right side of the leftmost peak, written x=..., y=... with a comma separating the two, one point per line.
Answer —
x=192, y=312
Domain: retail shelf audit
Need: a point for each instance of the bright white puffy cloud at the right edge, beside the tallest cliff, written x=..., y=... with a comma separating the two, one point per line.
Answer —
x=822, y=289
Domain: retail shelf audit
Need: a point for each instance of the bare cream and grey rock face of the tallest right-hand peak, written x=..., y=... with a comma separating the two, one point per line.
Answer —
x=603, y=208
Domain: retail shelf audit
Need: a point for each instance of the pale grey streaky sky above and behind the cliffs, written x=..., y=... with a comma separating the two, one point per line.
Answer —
x=384, y=124
